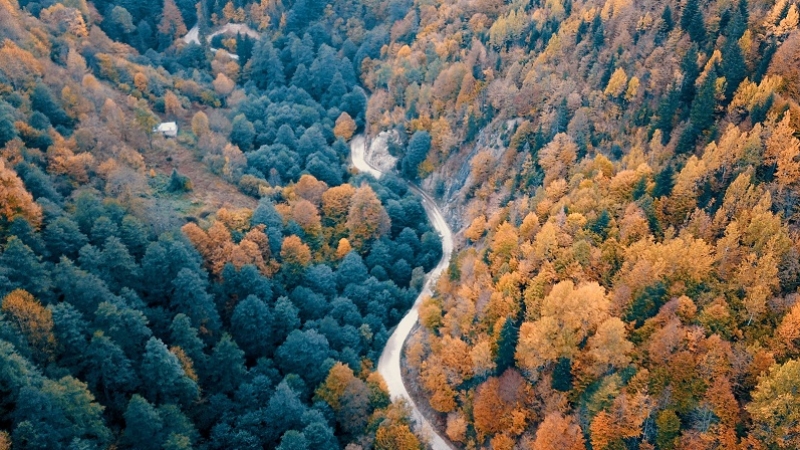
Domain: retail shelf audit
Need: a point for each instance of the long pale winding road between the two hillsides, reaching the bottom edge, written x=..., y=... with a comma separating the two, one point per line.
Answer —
x=389, y=362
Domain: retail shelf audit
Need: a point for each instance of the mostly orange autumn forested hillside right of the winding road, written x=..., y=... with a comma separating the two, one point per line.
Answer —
x=629, y=266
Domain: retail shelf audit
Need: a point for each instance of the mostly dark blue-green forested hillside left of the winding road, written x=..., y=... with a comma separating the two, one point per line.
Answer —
x=228, y=288
